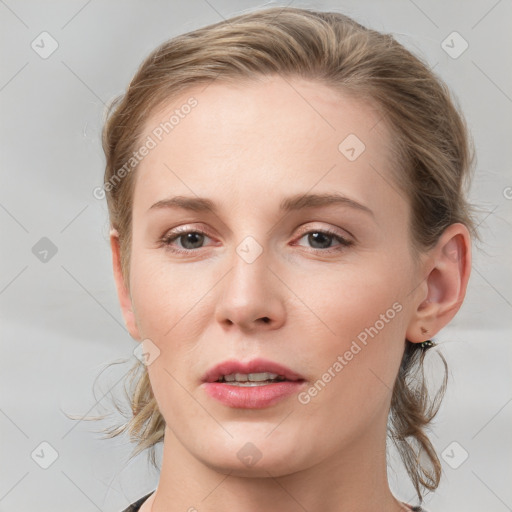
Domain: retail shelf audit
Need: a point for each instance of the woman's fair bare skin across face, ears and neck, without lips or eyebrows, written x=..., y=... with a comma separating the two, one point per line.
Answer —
x=246, y=147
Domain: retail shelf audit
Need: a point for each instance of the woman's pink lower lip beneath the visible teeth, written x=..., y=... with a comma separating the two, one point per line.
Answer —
x=252, y=397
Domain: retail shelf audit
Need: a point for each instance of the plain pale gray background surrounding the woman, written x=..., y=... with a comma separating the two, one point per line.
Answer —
x=61, y=321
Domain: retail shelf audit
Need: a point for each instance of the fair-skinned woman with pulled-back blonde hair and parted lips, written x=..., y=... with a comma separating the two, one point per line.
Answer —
x=289, y=231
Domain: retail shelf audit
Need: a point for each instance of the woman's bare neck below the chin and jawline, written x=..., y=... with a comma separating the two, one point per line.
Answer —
x=353, y=480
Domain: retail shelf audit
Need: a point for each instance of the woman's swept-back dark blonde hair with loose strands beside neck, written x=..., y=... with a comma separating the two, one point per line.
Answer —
x=430, y=138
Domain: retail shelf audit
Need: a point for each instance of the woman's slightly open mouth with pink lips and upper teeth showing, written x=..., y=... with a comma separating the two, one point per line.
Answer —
x=253, y=385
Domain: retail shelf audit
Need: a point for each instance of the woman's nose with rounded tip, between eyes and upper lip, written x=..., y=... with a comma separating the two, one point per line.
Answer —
x=252, y=297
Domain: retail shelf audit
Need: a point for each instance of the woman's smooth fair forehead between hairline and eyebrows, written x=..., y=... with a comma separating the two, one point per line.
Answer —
x=238, y=141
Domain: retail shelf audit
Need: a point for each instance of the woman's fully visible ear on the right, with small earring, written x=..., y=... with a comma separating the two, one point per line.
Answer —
x=443, y=291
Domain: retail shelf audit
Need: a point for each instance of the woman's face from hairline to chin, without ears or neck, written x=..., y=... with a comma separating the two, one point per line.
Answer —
x=324, y=289
